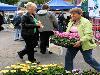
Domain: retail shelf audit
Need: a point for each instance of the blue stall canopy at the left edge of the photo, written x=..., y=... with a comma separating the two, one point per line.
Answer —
x=6, y=7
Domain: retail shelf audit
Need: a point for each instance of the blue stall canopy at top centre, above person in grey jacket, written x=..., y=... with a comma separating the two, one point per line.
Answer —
x=60, y=4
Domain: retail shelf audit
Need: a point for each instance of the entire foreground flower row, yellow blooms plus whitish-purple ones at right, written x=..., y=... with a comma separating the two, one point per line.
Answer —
x=39, y=69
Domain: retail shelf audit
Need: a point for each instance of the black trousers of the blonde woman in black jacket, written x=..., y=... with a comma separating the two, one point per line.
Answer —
x=31, y=43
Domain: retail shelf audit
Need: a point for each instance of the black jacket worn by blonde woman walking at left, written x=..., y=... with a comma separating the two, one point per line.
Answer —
x=28, y=25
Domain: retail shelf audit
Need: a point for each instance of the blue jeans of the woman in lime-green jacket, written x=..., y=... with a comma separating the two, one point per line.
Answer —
x=87, y=55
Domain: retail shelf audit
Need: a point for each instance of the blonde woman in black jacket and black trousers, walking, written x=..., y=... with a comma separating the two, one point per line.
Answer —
x=30, y=31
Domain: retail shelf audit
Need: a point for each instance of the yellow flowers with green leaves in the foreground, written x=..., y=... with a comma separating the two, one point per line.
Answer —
x=33, y=69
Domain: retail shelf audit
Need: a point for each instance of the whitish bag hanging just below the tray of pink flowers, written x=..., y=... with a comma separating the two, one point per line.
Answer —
x=55, y=49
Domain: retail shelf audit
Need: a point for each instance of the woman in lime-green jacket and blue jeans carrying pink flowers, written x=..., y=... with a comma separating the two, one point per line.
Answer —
x=86, y=43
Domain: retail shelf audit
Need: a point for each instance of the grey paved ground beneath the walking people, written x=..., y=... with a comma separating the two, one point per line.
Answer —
x=9, y=49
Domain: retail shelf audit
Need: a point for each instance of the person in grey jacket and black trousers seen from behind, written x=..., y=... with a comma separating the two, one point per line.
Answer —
x=49, y=22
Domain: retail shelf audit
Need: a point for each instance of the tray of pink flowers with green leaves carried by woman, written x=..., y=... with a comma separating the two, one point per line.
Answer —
x=65, y=39
